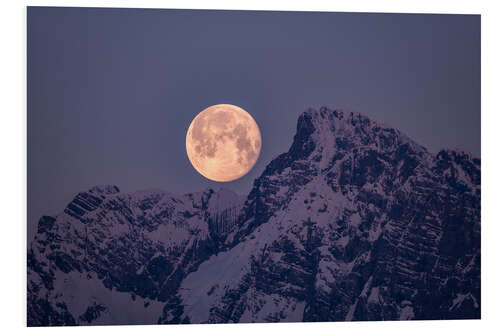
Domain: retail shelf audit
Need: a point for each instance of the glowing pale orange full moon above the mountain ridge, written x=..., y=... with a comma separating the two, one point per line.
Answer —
x=223, y=142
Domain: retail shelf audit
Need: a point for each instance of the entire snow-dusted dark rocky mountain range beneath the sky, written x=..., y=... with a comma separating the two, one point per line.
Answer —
x=355, y=222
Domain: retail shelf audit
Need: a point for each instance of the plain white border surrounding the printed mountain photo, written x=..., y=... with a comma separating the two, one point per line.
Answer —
x=13, y=156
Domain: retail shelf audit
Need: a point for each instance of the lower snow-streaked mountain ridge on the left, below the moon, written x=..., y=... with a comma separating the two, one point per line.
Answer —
x=118, y=258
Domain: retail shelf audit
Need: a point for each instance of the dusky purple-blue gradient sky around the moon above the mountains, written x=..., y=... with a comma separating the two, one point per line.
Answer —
x=111, y=92
